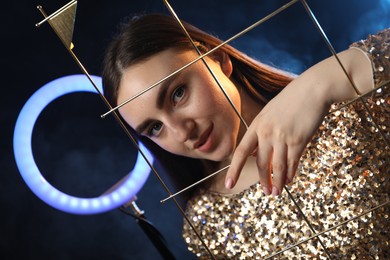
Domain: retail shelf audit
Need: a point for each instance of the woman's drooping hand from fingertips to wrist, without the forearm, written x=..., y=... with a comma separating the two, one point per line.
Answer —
x=277, y=137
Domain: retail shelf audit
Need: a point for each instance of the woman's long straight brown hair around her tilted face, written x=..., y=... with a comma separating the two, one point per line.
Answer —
x=146, y=35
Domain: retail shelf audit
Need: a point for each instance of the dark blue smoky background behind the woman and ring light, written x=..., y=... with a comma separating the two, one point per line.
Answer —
x=83, y=155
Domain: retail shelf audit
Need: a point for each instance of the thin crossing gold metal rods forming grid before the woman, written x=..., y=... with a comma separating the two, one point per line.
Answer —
x=360, y=98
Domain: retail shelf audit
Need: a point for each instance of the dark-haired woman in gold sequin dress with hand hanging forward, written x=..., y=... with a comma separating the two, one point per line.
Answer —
x=283, y=127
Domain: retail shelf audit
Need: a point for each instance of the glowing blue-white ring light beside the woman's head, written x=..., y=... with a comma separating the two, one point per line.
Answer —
x=31, y=174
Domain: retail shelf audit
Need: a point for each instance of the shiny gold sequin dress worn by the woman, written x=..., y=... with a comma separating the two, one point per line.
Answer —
x=338, y=205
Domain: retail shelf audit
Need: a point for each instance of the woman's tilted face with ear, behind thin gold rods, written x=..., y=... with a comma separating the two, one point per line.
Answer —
x=187, y=114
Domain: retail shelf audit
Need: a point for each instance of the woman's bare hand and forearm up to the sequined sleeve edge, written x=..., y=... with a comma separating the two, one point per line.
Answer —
x=280, y=132
